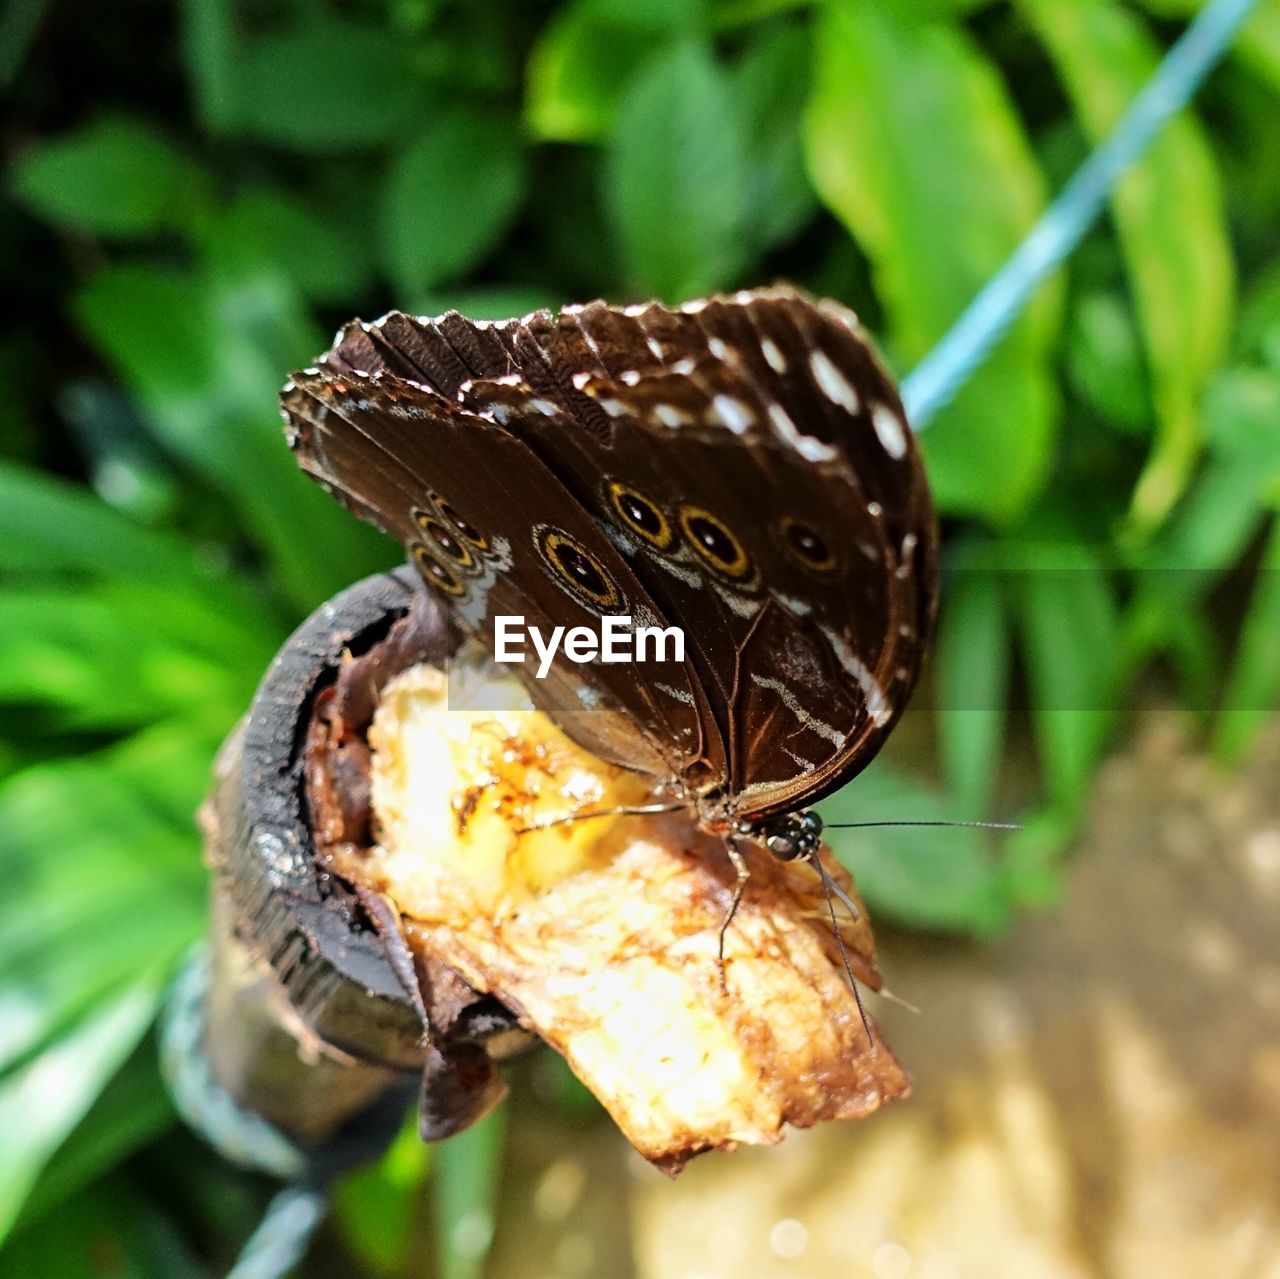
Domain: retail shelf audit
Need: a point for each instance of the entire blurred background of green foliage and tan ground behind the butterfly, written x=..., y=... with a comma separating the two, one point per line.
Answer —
x=198, y=194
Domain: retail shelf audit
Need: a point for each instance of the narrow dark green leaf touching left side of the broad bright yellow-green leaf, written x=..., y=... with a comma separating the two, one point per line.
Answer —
x=772, y=86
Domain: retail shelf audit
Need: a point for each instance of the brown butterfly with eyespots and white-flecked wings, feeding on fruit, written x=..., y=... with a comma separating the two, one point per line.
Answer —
x=739, y=467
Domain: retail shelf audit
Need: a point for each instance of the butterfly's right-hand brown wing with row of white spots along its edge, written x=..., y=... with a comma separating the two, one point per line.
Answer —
x=766, y=424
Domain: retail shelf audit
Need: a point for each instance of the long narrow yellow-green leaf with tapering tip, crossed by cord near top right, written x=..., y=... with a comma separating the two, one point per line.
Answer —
x=1172, y=227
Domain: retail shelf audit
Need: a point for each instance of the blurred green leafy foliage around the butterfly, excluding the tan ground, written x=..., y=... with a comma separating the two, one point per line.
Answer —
x=199, y=193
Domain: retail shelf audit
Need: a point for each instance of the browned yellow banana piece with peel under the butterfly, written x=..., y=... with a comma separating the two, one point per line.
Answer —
x=601, y=934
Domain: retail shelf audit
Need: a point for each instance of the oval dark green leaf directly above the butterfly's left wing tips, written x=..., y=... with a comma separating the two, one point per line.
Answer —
x=450, y=198
